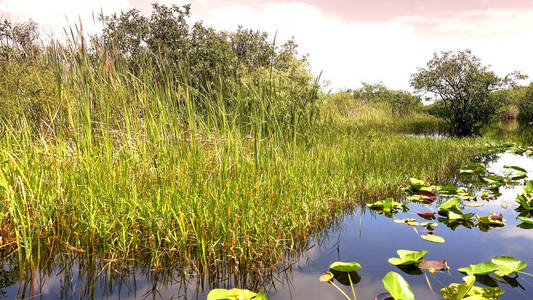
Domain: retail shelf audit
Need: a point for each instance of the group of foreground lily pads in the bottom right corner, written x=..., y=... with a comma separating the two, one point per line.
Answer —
x=411, y=261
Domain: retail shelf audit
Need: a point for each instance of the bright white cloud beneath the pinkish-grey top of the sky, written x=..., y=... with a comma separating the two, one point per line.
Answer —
x=347, y=52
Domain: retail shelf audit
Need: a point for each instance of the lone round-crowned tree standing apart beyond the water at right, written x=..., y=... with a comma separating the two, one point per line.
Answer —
x=463, y=85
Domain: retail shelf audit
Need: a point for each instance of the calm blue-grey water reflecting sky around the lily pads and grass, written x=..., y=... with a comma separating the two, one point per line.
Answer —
x=362, y=236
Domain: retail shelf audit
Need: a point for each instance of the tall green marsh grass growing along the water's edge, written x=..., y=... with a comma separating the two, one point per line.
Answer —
x=144, y=166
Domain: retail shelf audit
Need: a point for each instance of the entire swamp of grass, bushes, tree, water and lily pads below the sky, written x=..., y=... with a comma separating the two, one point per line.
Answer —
x=161, y=159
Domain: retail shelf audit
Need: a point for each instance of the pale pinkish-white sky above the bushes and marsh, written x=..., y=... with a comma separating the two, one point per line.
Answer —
x=348, y=41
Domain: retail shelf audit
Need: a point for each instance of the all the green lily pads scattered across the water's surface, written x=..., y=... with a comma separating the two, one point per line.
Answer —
x=449, y=213
